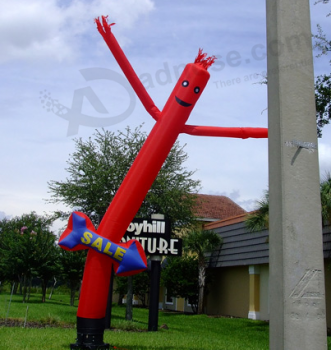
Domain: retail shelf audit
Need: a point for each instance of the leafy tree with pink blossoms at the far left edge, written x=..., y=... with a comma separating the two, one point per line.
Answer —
x=27, y=249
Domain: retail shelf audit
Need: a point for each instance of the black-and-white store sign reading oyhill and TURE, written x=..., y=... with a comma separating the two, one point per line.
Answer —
x=154, y=236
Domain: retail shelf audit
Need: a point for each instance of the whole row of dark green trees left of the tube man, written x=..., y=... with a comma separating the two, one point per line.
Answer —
x=28, y=249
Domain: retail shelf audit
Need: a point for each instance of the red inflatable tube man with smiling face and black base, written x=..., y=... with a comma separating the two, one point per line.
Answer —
x=170, y=122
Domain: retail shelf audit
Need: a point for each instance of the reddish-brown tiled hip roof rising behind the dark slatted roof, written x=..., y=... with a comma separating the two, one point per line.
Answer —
x=213, y=208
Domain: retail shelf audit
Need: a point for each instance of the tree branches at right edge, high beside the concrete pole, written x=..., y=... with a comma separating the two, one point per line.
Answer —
x=323, y=82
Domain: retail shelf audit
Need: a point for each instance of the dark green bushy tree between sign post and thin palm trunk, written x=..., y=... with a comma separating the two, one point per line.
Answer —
x=180, y=276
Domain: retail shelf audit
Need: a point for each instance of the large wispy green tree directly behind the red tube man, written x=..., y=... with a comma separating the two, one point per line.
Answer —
x=98, y=166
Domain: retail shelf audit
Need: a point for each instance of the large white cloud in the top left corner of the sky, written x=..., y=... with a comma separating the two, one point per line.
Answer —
x=37, y=29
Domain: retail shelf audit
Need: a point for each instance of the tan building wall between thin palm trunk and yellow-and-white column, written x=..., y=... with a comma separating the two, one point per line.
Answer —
x=229, y=292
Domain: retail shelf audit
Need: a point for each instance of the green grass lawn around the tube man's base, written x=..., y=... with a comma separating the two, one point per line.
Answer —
x=185, y=331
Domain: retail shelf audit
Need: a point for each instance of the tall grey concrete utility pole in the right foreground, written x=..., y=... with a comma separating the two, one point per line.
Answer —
x=297, y=297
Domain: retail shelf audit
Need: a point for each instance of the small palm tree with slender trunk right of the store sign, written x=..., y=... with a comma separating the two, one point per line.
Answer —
x=200, y=242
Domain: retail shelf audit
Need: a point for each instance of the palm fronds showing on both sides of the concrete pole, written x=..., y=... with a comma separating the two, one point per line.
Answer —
x=259, y=219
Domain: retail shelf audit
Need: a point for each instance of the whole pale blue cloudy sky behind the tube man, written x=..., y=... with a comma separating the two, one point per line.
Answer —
x=59, y=82
